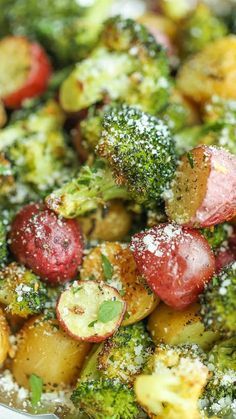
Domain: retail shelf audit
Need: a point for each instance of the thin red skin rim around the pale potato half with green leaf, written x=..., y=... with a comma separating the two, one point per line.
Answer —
x=93, y=338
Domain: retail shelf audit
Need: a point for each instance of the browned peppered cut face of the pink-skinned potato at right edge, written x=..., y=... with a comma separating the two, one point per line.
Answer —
x=189, y=187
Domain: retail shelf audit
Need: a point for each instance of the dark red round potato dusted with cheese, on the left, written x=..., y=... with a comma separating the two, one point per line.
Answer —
x=50, y=246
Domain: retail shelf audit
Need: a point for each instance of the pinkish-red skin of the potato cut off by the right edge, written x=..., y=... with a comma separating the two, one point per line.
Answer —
x=219, y=204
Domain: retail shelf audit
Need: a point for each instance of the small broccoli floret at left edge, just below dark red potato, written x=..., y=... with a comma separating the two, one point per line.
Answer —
x=22, y=291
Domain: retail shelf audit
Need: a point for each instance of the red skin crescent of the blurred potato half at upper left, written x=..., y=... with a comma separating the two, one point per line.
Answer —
x=37, y=80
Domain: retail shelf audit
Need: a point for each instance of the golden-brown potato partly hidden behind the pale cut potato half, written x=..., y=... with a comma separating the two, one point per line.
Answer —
x=115, y=264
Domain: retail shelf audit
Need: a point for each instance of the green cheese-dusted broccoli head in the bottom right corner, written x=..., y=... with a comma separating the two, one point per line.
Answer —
x=218, y=398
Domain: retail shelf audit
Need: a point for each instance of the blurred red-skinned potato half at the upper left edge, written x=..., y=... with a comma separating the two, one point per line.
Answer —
x=25, y=70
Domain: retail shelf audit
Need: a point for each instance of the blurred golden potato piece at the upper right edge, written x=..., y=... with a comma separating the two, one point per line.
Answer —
x=210, y=72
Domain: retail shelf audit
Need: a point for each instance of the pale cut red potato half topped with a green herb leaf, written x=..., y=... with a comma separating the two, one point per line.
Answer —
x=89, y=311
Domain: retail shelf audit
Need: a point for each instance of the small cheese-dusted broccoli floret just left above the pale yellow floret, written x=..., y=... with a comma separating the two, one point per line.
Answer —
x=125, y=354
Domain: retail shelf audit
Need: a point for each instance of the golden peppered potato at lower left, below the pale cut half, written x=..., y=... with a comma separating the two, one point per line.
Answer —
x=45, y=350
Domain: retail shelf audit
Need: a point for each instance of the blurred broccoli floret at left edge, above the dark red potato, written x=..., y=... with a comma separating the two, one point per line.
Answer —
x=37, y=149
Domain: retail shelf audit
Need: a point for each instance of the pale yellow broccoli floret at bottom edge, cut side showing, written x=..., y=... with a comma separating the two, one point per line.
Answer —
x=175, y=383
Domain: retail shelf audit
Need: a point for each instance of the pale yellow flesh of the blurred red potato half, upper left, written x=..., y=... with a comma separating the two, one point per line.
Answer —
x=15, y=64
